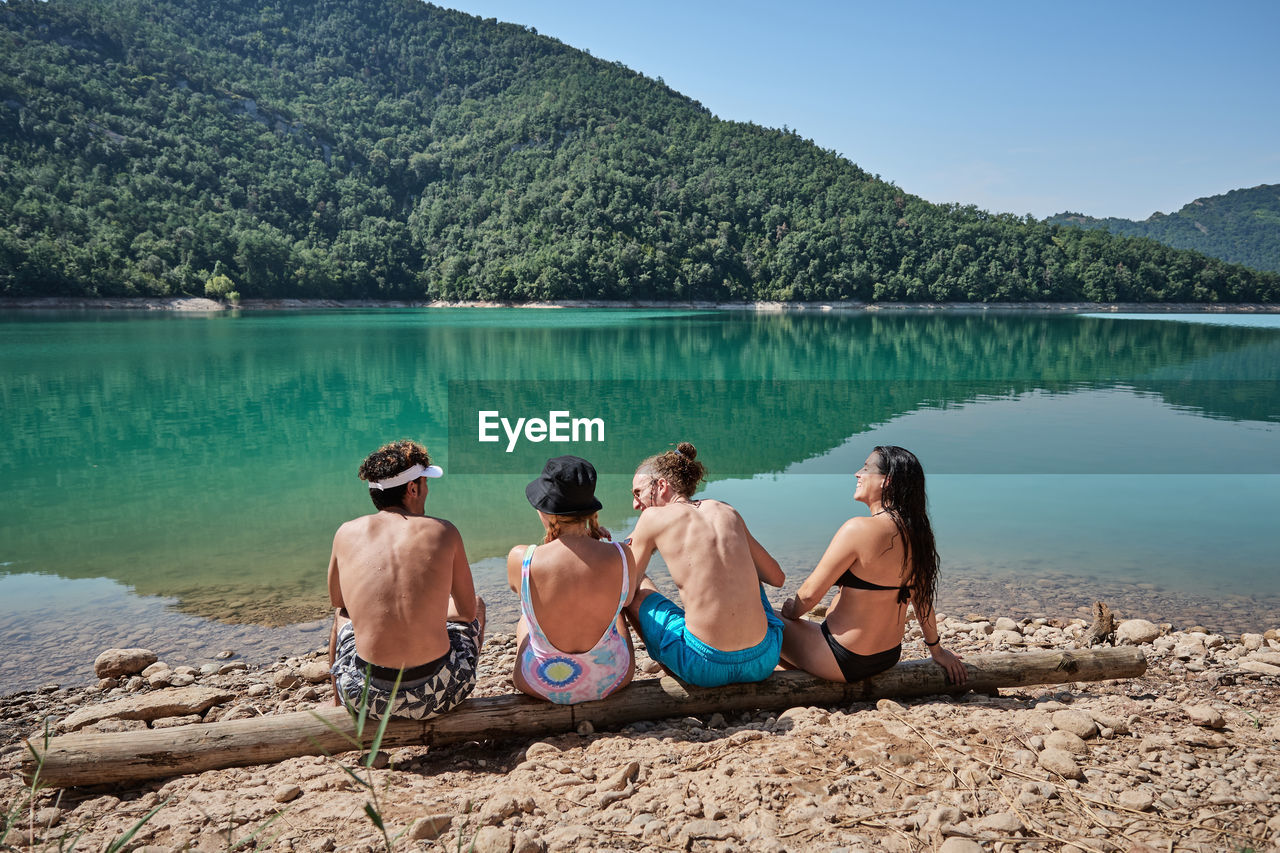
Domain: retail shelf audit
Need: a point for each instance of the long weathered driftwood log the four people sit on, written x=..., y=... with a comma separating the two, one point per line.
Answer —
x=93, y=759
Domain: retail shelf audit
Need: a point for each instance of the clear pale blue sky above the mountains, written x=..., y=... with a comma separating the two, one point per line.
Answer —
x=1114, y=110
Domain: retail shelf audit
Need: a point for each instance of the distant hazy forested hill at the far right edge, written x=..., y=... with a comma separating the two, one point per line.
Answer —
x=1242, y=227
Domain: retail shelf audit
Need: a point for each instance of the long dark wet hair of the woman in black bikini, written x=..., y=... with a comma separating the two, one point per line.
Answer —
x=906, y=503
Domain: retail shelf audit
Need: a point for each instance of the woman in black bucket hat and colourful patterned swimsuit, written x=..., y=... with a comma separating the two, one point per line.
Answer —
x=573, y=642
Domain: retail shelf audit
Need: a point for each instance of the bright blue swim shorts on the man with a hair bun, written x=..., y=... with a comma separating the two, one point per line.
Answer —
x=662, y=628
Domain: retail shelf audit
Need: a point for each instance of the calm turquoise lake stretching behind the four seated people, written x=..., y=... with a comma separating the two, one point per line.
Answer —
x=176, y=481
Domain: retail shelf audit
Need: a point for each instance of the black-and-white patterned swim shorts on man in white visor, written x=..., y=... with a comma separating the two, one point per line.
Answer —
x=436, y=688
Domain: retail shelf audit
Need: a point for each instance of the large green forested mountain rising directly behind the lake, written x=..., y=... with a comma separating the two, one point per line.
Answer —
x=392, y=149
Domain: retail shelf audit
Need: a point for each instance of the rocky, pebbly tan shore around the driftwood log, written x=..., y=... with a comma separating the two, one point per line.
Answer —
x=1183, y=759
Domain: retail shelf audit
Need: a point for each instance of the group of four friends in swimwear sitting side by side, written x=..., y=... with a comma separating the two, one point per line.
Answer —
x=409, y=626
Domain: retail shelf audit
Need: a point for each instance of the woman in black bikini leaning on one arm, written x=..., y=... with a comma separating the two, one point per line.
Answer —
x=880, y=564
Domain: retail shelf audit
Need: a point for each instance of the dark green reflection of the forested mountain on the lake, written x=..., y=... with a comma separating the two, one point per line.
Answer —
x=213, y=458
